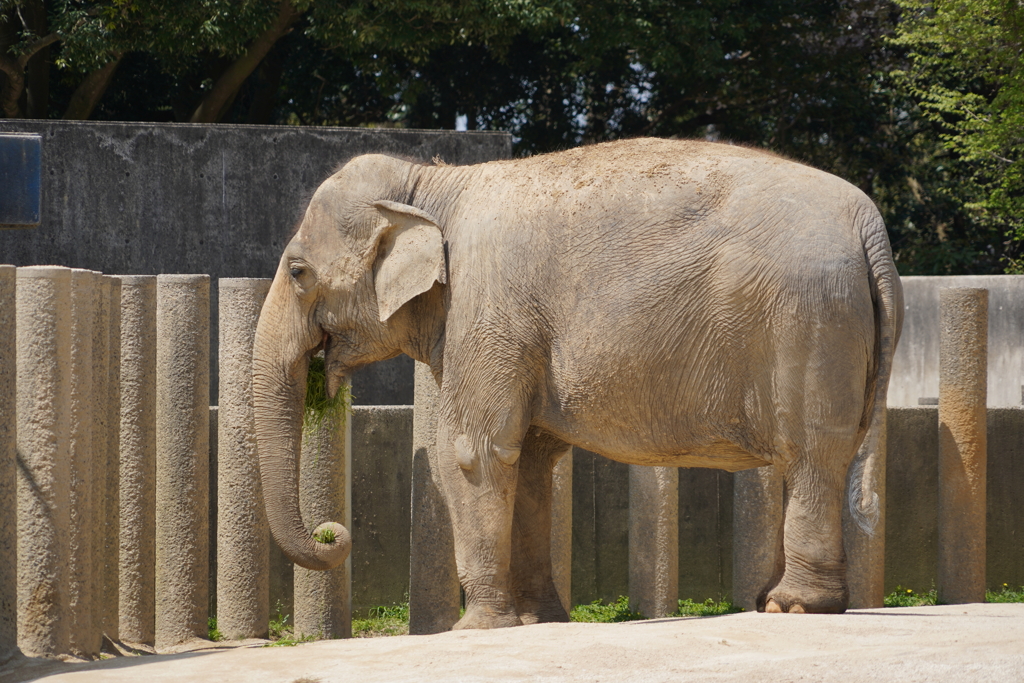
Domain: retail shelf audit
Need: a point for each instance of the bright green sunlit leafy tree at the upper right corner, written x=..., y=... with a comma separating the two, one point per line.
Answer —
x=967, y=73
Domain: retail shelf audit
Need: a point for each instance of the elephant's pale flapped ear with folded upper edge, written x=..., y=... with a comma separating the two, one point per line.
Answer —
x=410, y=257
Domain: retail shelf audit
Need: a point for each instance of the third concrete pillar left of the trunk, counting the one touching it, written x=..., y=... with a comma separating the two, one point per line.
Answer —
x=138, y=459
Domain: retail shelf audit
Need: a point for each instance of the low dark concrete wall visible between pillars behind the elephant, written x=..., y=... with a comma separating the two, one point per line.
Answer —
x=601, y=511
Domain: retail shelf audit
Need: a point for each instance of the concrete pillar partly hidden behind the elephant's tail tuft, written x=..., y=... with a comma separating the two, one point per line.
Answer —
x=866, y=553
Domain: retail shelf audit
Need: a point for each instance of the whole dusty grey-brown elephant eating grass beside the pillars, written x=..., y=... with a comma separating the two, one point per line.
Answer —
x=676, y=304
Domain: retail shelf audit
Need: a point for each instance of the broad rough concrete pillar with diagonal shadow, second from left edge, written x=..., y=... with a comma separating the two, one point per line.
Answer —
x=45, y=469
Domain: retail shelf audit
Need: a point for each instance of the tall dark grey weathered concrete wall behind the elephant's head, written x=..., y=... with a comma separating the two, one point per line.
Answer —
x=150, y=199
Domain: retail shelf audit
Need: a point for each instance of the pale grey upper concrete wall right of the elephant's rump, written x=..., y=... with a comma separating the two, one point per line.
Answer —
x=916, y=368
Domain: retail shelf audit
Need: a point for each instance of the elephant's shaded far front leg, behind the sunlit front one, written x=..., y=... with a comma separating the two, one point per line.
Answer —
x=537, y=600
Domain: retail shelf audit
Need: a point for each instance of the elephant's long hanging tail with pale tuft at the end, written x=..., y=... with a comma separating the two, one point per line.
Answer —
x=887, y=296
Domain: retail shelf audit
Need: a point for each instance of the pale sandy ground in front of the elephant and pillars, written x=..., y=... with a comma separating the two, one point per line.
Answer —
x=978, y=643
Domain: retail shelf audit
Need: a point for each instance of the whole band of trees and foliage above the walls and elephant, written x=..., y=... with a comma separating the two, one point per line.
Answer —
x=918, y=103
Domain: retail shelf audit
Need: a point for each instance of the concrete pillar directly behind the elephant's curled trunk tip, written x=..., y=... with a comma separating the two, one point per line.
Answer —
x=323, y=600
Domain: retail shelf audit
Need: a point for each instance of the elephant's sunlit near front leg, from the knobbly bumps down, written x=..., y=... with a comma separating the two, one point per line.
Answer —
x=480, y=483
